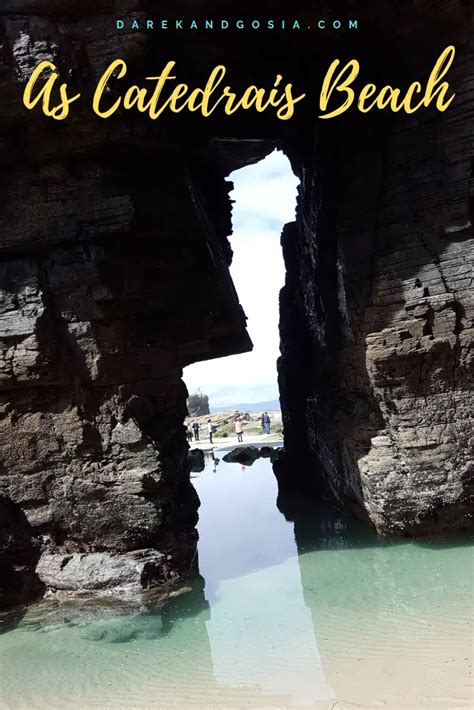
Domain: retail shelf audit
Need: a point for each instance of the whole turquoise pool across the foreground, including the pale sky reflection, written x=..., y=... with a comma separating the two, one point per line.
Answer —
x=313, y=614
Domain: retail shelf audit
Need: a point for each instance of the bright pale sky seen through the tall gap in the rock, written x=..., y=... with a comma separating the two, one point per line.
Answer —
x=265, y=199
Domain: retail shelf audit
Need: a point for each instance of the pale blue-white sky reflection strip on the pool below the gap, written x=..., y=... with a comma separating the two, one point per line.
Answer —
x=249, y=559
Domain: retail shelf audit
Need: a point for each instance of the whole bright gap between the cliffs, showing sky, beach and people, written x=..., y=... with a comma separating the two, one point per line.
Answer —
x=244, y=387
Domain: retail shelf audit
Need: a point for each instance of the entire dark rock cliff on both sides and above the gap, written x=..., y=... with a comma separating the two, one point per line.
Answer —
x=106, y=225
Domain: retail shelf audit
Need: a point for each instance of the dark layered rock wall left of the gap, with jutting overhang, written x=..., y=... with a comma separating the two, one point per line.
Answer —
x=103, y=301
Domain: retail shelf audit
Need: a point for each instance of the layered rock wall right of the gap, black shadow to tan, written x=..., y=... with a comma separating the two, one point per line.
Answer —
x=377, y=316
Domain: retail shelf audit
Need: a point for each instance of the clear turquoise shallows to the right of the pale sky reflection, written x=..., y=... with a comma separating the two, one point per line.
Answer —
x=386, y=613
